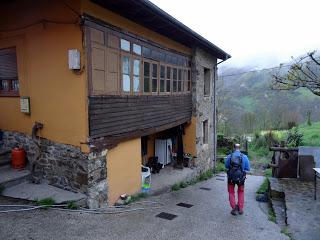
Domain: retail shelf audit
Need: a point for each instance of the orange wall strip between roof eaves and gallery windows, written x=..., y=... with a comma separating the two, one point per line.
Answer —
x=119, y=21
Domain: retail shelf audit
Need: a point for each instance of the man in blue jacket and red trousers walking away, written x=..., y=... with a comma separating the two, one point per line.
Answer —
x=236, y=164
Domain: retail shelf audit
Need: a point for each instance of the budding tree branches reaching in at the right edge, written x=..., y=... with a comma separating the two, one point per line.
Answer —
x=303, y=72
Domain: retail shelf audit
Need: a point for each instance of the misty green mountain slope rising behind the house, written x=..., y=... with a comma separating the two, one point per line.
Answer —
x=247, y=103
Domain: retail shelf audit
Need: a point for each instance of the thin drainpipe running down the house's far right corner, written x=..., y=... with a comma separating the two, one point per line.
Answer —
x=215, y=111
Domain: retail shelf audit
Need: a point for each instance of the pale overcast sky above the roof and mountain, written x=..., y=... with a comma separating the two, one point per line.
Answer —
x=258, y=33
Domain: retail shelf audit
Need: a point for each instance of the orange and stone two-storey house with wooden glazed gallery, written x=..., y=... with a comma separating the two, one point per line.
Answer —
x=87, y=86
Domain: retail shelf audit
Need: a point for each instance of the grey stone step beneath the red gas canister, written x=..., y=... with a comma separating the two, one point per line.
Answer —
x=10, y=177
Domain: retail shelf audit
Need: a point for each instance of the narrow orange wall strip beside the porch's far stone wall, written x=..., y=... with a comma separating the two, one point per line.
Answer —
x=189, y=139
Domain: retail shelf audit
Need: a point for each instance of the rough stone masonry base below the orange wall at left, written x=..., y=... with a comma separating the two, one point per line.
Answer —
x=63, y=165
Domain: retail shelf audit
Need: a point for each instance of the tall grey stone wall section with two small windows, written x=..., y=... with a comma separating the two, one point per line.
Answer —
x=203, y=107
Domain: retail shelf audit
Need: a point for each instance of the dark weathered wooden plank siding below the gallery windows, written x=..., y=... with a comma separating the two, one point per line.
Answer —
x=116, y=118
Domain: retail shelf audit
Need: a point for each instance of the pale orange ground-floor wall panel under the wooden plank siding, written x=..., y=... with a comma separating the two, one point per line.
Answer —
x=124, y=169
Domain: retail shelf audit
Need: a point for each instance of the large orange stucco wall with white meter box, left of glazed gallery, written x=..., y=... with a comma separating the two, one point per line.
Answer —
x=58, y=96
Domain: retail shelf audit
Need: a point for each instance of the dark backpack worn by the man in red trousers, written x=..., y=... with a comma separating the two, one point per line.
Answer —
x=235, y=173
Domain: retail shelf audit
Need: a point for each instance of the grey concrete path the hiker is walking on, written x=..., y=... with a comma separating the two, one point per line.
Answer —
x=209, y=218
